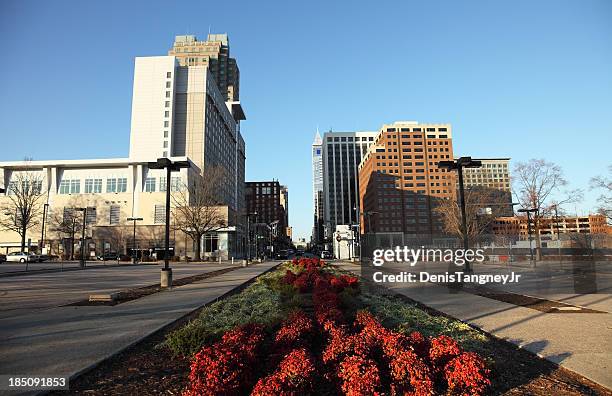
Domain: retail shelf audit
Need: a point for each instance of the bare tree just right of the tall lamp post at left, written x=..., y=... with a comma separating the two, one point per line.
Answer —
x=197, y=207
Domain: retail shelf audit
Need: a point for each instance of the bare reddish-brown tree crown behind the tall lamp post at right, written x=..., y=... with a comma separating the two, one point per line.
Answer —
x=482, y=206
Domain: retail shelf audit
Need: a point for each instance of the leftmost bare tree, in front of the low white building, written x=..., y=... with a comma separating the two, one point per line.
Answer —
x=24, y=208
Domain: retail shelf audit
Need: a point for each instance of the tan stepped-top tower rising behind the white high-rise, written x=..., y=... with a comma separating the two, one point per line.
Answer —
x=215, y=55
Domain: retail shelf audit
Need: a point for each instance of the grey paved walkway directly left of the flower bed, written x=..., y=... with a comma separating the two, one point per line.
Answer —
x=65, y=341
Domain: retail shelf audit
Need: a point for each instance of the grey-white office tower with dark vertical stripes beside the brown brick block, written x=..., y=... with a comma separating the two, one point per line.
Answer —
x=342, y=153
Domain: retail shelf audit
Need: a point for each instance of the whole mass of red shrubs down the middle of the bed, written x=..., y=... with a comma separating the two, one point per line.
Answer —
x=362, y=358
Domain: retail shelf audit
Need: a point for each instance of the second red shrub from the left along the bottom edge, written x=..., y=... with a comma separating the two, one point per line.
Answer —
x=294, y=375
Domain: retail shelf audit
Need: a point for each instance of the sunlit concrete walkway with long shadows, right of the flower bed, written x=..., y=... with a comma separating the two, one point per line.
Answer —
x=580, y=342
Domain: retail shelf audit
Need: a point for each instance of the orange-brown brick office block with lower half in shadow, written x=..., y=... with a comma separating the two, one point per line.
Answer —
x=399, y=179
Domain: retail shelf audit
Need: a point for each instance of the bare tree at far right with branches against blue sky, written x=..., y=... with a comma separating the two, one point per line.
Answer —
x=536, y=183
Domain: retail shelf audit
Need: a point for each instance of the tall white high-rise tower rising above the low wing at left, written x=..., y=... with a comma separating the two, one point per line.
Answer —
x=180, y=111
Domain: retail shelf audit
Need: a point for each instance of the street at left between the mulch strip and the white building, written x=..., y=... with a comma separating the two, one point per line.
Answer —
x=28, y=293
